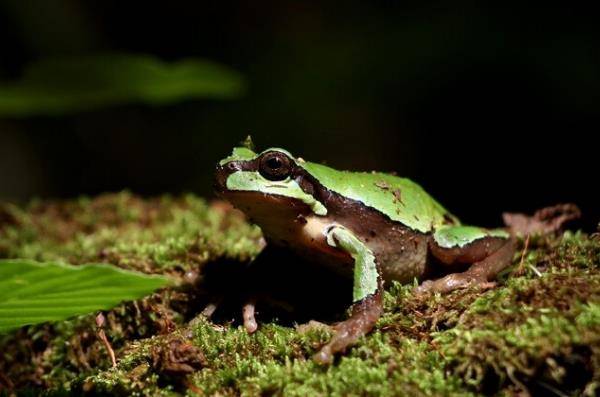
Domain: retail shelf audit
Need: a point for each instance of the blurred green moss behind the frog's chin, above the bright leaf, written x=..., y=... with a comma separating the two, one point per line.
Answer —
x=149, y=235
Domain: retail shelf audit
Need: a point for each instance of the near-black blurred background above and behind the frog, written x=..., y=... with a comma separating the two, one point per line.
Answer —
x=490, y=109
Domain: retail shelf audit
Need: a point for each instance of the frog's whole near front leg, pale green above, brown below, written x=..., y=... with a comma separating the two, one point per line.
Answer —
x=367, y=295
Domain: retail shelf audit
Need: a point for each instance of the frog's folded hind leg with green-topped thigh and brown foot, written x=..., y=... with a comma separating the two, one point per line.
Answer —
x=488, y=252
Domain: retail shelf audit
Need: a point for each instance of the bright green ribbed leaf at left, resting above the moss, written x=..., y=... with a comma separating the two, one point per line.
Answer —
x=34, y=292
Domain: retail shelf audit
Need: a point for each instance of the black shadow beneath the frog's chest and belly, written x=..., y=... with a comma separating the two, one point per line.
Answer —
x=289, y=289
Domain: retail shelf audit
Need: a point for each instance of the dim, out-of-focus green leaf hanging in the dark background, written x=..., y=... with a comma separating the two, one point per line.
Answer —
x=73, y=84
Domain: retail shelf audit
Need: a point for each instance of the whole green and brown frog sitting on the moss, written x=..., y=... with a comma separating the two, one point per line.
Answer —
x=376, y=226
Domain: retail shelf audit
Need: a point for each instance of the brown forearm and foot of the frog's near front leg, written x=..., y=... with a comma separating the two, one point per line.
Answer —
x=362, y=320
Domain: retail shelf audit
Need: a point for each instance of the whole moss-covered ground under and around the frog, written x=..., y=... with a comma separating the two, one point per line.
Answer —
x=537, y=330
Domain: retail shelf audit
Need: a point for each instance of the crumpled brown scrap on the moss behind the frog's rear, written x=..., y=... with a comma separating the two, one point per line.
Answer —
x=545, y=221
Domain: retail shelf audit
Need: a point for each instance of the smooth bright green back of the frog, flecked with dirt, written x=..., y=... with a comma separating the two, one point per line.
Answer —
x=401, y=199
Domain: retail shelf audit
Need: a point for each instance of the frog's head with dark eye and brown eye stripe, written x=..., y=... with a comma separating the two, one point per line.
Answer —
x=267, y=186
